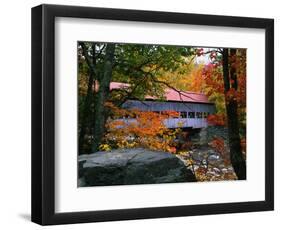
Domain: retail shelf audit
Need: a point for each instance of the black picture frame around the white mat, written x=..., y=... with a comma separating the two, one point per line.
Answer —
x=43, y=114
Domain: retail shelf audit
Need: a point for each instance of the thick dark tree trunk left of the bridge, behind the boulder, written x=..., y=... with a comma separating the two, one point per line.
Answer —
x=101, y=96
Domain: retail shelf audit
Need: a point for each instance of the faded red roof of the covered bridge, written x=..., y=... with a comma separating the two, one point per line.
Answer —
x=170, y=94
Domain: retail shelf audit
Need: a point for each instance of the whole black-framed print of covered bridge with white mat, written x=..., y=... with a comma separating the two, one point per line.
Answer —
x=142, y=114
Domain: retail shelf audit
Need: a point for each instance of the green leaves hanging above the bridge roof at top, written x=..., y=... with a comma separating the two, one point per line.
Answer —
x=140, y=64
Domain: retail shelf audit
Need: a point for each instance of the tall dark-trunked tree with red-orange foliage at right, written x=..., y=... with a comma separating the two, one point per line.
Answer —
x=224, y=81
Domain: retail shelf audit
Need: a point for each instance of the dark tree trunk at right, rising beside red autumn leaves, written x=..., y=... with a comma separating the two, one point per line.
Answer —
x=236, y=156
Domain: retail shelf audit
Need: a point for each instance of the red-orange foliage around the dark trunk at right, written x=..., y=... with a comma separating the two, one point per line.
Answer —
x=213, y=78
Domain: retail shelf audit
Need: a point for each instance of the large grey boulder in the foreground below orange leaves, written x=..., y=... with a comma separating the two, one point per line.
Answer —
x=131, y=166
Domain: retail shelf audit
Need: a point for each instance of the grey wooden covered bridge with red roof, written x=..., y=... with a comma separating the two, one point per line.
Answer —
x=193, y=108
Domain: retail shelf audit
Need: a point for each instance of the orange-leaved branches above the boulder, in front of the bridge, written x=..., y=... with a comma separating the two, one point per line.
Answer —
x=134, y=128
